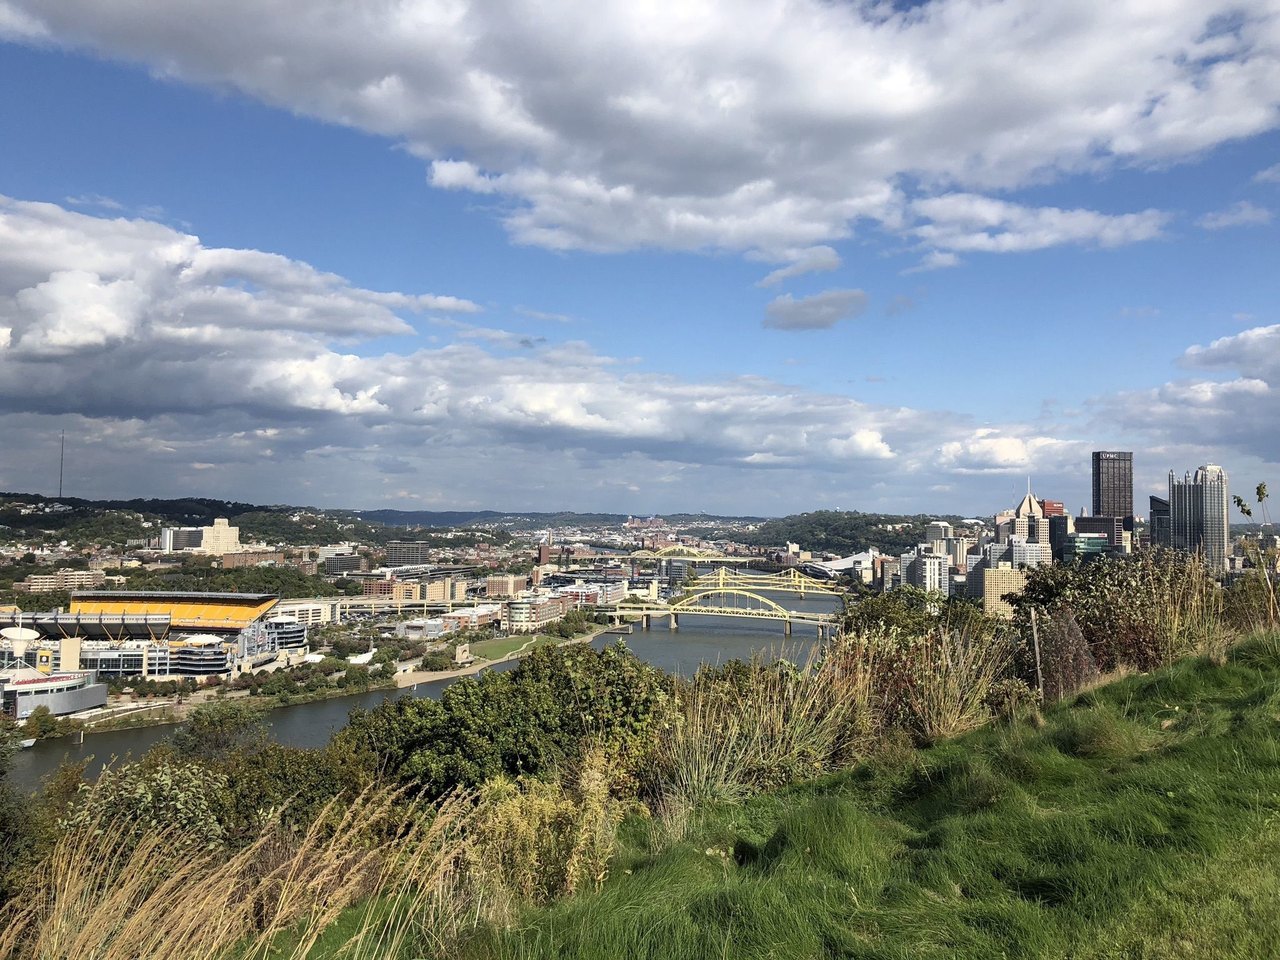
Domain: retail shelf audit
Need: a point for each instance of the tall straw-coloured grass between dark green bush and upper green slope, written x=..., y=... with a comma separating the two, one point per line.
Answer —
x=771, y=724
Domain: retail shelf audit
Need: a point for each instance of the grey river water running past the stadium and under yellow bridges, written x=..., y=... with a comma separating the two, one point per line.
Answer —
x=698, y=641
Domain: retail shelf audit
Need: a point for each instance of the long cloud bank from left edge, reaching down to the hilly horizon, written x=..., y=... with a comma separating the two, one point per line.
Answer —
x=243, y=373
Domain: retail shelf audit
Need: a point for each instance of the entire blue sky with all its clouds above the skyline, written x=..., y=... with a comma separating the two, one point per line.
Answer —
x=737, y=257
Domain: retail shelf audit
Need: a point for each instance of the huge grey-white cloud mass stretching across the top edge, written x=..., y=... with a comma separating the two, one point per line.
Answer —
x=758, y=126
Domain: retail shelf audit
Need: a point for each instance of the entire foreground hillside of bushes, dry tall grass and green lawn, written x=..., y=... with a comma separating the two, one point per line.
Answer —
x=931, y=784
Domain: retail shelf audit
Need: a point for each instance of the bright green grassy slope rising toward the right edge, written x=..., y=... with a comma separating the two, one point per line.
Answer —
x=1142, y=821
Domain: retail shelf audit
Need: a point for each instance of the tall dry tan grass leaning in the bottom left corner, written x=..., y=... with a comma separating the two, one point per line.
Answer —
x=109, y=894
